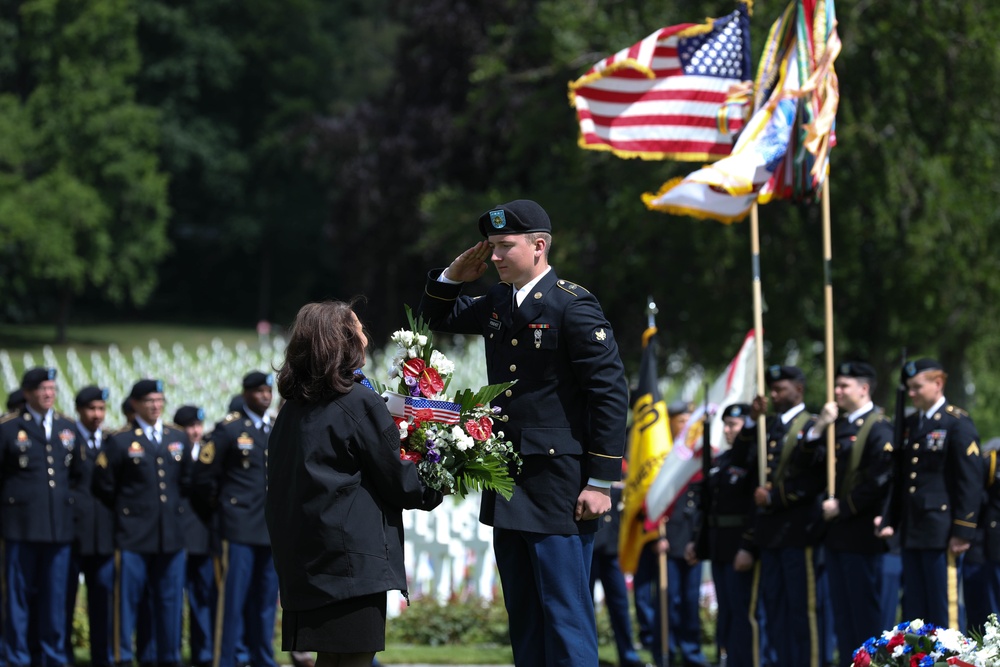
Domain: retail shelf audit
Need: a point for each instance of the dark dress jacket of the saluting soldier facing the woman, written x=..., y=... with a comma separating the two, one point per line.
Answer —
x=566, y=415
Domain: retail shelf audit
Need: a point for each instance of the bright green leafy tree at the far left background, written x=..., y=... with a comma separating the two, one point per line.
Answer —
x=82, y=198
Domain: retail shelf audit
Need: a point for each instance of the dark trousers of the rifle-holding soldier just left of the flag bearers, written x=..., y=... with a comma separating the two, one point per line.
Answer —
x=733, y=591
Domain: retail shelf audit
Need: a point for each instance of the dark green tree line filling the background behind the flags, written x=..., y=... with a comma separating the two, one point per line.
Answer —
x=226, y=162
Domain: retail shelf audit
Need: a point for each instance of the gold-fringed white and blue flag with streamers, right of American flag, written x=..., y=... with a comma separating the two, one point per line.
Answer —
x=783, y=151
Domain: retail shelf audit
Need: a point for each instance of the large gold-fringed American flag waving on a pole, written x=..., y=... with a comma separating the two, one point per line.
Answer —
x=679, y=94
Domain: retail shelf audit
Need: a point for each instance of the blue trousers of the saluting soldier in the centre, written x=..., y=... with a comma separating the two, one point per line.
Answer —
x=546, y=587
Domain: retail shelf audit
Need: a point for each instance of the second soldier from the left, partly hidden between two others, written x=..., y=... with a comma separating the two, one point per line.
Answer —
x=93, y=545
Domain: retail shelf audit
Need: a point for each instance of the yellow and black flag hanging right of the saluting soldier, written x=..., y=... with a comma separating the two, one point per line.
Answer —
x=648, y=446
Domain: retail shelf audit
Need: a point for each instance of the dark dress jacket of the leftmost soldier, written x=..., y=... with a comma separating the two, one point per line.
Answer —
x=36, y=475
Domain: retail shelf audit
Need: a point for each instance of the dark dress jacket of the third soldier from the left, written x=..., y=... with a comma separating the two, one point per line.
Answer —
x=143, y=483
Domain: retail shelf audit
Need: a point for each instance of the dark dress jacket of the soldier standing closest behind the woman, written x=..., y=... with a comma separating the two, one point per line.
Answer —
x=231, y=476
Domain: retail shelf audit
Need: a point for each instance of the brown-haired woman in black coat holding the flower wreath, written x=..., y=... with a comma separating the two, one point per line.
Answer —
x=336, y=491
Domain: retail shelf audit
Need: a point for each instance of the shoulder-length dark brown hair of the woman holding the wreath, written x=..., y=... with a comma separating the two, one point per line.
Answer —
x=324, y=350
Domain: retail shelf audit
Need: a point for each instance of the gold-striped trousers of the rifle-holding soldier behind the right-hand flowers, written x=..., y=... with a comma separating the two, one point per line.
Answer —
x=931, y=579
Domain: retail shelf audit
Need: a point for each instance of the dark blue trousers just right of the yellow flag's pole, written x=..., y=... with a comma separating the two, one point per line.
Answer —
x=683, y=589
